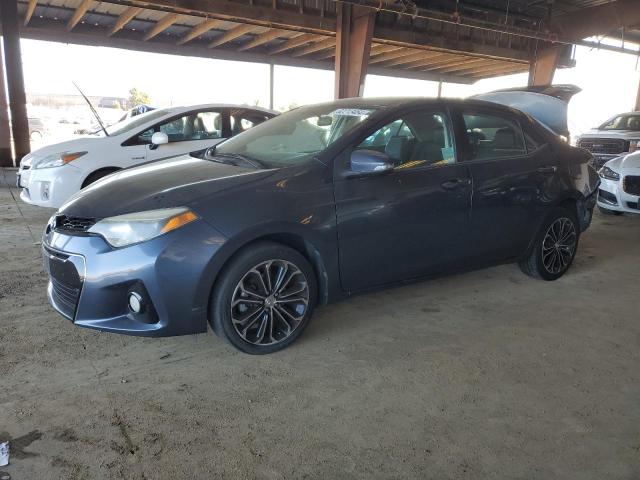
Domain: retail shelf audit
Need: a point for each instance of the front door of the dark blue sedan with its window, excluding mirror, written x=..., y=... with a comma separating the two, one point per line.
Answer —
x=411, y=221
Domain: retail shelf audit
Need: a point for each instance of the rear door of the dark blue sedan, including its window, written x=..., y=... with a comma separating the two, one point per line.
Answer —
x=512, y=171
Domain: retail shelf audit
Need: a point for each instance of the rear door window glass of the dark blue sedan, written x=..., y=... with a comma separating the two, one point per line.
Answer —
x=491, y=136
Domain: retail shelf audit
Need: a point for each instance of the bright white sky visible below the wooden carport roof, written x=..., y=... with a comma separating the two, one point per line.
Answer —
x=609, y=80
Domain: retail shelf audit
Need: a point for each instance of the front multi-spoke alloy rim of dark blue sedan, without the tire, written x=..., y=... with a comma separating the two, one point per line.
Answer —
x=269, y=302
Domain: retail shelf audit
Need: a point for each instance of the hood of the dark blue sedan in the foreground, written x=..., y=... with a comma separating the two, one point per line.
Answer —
x=164, y=184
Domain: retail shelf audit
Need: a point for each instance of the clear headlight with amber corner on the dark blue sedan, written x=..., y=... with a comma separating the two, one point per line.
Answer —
x=130, y=228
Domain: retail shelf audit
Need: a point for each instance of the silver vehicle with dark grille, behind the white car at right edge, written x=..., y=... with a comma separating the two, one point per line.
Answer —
x=615, y=137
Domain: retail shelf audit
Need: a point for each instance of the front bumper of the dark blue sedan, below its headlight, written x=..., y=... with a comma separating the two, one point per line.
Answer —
x=89, y=281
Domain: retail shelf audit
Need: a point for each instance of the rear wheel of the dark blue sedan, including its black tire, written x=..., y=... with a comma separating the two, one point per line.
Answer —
x=539, y=261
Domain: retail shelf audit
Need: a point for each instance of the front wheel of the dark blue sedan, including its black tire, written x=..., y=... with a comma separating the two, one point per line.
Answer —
x=252, y=276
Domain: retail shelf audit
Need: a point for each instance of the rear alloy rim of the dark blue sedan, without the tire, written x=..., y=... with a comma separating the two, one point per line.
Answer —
x=559, y=245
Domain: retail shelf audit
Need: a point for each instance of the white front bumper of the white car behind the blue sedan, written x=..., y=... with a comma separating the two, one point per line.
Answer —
x=49, y=187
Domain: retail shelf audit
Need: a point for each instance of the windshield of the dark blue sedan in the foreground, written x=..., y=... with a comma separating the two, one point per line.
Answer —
x=296, y=136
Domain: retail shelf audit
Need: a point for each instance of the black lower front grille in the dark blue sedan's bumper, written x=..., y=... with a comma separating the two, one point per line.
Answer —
x=65, y=282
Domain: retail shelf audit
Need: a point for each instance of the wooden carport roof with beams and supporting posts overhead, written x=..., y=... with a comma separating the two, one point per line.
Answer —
x=441, y=40
